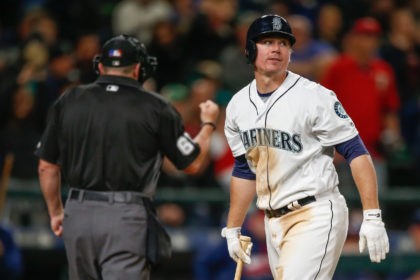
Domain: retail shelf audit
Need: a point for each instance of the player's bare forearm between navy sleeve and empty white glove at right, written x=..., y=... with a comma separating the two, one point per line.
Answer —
x=364, y=176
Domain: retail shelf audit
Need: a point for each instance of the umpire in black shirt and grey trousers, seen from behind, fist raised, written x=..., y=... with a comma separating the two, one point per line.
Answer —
x=108, y=139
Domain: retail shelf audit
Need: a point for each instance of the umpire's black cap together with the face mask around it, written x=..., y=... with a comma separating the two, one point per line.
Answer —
x=124, y=50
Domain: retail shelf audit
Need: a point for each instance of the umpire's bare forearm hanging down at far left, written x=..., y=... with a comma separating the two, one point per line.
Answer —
x=50, y=181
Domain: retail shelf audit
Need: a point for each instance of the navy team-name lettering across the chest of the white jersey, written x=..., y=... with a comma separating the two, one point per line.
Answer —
x=272, y=138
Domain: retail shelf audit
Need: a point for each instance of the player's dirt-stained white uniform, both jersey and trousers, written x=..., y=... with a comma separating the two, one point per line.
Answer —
x=289, y=140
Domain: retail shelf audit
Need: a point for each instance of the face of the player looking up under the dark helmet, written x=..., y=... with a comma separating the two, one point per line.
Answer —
x=273, y=55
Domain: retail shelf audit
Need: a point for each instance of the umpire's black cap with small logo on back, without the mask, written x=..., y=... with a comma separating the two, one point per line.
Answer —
x=119, y=51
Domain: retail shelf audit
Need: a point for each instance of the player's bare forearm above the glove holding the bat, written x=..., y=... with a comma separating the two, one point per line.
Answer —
x=242, y=193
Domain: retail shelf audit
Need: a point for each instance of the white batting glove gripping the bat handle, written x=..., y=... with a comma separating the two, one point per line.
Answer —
x=234, y=245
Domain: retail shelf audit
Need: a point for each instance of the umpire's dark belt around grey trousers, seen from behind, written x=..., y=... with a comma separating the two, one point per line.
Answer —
x=110, y=196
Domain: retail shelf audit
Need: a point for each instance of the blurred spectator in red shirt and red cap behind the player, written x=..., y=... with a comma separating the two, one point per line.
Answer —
x=365, y=84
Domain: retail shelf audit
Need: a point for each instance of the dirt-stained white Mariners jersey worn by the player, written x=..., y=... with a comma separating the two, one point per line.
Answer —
x=288, y=139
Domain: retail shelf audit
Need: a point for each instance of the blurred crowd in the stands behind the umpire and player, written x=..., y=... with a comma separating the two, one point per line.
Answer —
x=366, y=51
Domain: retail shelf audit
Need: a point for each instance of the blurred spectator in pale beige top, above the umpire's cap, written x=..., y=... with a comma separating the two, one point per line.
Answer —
x=137, y=17
